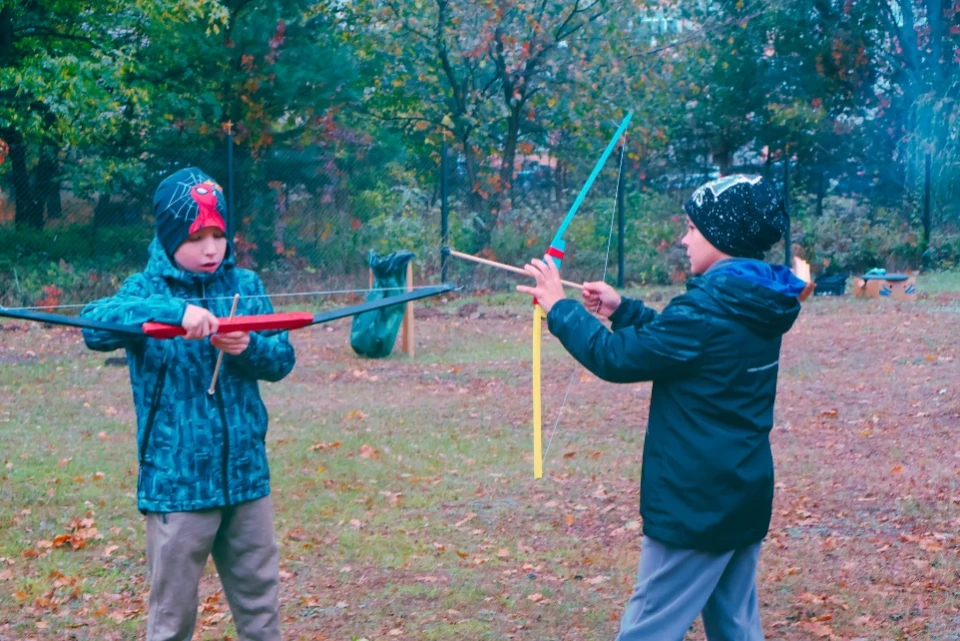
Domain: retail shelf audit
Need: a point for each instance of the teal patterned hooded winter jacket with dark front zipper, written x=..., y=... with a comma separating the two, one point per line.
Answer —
x=195, y=450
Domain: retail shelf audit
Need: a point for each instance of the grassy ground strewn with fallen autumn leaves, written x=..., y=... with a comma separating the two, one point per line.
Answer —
x=406, y=507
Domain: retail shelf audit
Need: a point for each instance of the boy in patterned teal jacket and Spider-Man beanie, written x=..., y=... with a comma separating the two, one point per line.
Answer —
x=203, y=484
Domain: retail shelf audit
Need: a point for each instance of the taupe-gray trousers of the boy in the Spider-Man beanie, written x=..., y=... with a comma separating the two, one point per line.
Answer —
x=240, y=538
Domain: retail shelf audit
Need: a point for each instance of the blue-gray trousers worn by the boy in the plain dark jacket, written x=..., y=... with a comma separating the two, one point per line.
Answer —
x=675, y=585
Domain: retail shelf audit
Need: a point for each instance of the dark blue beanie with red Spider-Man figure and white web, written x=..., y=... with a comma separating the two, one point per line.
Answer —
x=187, y=201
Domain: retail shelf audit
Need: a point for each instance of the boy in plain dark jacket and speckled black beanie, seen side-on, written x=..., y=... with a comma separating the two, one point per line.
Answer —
x=706, y=492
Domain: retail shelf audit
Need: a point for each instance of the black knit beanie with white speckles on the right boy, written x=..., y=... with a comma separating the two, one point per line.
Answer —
x=741, y=216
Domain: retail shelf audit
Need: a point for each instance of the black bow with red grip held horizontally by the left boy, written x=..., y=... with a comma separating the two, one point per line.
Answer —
x=260, y=323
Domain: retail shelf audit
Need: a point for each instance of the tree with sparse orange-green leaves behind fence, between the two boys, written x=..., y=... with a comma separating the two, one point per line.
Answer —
x=490, y=76
